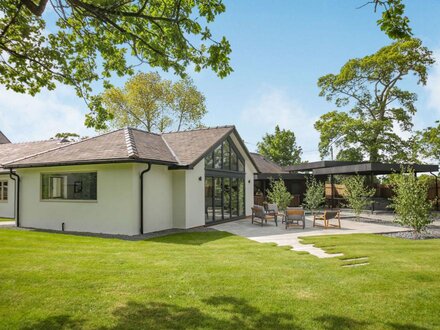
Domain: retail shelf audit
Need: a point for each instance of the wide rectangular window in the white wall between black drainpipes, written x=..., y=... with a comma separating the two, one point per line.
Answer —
x=69, y=186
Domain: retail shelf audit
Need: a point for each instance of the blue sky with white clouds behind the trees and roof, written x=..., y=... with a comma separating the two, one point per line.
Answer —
x=279, y=50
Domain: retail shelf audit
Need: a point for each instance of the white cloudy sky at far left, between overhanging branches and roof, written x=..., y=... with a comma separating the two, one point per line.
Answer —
x=27, y=118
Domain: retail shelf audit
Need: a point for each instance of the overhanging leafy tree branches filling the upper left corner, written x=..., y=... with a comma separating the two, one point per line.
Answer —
x=93, y=40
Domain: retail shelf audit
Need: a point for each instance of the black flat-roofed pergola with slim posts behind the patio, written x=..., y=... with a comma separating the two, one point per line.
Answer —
x=331, y=168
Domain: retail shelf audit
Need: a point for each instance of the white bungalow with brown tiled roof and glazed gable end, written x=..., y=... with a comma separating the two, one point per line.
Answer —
x=128, y=181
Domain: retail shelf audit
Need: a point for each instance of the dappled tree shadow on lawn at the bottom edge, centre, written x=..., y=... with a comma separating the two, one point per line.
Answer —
x=233, y=313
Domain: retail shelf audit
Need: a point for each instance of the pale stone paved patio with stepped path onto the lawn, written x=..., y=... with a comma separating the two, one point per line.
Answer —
x=269, y=233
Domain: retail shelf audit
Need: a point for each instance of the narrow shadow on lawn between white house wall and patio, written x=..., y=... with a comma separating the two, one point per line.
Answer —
x=192, y=238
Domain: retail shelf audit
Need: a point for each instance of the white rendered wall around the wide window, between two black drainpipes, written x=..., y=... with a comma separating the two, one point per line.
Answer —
x=114, y=212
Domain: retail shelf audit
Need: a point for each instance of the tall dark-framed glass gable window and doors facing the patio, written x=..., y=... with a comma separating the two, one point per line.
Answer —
x=224, y=183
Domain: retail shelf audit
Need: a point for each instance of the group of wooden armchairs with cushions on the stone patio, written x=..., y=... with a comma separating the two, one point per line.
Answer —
x=293, y=216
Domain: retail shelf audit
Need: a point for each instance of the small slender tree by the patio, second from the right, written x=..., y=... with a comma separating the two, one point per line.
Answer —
x=357, y=194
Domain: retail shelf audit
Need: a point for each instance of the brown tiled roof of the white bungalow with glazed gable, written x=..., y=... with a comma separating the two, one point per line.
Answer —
x=178, y=149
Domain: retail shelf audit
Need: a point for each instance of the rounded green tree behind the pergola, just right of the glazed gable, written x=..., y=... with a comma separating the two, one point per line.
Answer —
x=280, y=147
